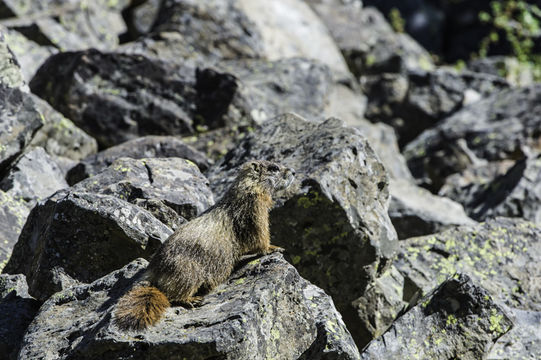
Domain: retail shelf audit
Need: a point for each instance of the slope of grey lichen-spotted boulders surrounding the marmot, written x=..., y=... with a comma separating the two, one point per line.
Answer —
x=412, y=229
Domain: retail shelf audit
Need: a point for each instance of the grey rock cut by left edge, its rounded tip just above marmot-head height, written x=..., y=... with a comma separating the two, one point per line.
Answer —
x=19, y=120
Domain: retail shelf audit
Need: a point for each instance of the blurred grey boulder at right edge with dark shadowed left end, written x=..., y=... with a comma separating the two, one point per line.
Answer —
x=501, y=127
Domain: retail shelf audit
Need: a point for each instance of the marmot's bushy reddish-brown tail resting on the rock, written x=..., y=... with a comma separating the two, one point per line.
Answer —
x=141, y=307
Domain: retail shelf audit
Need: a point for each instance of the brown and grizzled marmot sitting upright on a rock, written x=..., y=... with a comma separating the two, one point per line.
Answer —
x=201, y=254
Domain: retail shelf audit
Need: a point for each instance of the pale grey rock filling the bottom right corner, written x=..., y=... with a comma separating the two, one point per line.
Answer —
x=524, y=339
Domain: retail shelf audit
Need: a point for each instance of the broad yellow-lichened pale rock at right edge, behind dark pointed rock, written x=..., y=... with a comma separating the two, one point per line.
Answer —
x=501, y=253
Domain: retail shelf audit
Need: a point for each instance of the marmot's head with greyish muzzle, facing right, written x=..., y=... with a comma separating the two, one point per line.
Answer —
x=266, y=175
